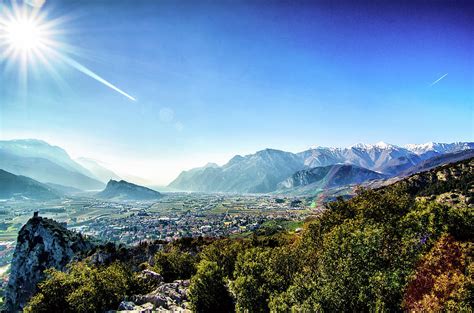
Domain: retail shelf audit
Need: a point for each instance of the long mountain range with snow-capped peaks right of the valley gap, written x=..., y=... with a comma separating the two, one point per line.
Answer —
x=270, y=170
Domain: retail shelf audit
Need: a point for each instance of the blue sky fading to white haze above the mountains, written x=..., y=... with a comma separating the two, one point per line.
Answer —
x=215, y=79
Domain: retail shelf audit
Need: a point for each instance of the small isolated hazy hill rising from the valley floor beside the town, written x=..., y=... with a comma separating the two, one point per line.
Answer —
x=122, y=190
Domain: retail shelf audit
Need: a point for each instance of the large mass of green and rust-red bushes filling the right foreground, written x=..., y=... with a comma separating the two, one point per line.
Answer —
x=366, y=254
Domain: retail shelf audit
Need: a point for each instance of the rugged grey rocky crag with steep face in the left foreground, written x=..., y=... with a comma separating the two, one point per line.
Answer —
x=42, y=243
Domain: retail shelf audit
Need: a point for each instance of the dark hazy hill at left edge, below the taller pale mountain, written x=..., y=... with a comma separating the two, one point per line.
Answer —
x=14, y=186
